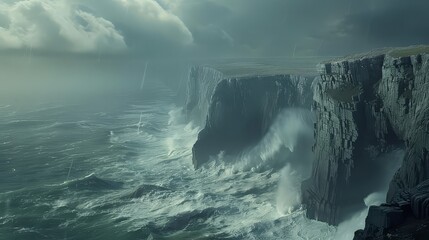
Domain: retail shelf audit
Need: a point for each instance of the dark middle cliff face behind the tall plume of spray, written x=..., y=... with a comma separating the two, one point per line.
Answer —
x=242, y=110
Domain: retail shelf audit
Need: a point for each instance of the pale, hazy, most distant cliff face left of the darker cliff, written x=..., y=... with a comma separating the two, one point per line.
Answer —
x=201, y=84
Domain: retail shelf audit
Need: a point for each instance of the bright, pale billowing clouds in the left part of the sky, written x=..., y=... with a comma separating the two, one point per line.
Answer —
x=110, y=26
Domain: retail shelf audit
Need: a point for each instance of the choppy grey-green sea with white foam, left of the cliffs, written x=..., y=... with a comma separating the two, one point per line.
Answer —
x=125, y=172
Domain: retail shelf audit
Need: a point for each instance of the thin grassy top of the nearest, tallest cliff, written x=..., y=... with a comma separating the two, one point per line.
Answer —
x=393, y=52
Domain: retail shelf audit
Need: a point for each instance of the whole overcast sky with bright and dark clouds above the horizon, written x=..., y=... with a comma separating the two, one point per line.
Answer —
x=210, y=28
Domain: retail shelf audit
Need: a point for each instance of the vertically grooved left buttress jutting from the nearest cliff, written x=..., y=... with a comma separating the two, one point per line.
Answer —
x=346, y=109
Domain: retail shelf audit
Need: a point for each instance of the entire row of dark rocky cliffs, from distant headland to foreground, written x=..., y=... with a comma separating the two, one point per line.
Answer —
x=366, y=105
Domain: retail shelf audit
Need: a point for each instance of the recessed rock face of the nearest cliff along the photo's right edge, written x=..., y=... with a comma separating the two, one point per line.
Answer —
x=406, y=98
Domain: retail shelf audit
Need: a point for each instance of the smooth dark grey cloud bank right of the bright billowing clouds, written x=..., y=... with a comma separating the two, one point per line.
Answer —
x=307, y=27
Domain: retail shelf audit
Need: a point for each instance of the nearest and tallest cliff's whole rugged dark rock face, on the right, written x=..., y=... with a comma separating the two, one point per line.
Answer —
x=365, y=106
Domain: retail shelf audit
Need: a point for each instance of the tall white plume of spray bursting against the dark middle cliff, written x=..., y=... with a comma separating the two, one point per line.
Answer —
x=288, y=141
